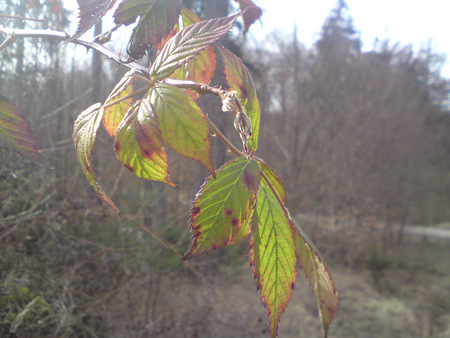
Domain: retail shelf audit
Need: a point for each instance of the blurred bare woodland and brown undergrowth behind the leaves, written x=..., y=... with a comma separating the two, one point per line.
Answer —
x=361, y=140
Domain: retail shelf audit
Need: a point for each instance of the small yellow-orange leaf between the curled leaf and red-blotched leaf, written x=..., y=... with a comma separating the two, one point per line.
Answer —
x=114, y=115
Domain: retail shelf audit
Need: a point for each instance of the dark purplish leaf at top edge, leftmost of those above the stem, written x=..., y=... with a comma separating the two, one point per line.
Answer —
x=90, y=12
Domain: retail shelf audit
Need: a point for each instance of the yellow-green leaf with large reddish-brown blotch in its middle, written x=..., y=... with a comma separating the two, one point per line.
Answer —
x=139, y=145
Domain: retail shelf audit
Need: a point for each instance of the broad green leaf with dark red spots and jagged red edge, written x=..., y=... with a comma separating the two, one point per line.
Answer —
x=222, y=206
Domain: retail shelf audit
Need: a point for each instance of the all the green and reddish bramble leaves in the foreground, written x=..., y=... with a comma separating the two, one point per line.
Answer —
x=244, y=197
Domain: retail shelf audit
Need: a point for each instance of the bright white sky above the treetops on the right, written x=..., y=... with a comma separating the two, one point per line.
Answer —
x=415, y=22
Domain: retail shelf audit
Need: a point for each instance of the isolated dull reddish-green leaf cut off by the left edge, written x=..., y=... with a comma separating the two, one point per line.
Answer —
x=16, y=133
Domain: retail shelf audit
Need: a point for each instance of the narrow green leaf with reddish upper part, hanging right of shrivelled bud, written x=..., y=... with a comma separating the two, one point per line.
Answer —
x=238, y=77
